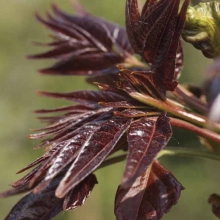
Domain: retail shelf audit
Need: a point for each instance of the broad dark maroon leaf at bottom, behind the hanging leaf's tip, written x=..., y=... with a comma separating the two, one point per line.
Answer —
x=152, y=195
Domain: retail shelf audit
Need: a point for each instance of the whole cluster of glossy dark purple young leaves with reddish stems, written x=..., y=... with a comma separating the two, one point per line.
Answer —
x=129, y=113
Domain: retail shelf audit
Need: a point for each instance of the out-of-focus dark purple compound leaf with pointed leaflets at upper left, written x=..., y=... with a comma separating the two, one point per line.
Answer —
x=84, y=44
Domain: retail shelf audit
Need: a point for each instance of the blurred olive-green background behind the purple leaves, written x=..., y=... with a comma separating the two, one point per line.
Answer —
x=19, y=82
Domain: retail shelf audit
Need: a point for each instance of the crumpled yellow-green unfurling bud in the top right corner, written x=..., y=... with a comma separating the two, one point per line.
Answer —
x=202, y=28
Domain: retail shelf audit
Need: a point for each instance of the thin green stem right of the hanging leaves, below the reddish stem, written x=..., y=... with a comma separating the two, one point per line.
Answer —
x=180, y=151
